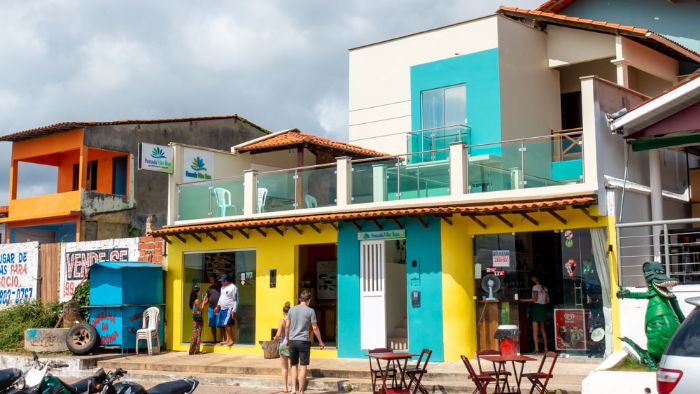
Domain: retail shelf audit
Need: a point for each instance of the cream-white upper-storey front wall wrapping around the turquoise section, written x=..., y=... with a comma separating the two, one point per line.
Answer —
x=380, y=78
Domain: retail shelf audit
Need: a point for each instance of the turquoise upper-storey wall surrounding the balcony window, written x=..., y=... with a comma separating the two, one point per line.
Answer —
x=479, y=72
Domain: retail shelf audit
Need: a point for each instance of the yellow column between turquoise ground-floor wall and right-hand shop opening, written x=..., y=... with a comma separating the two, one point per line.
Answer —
x=459, y=310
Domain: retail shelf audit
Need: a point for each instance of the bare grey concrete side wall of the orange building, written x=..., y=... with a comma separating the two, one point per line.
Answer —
x=150, y=188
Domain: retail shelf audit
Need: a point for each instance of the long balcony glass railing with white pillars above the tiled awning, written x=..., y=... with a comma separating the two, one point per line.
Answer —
x=536, y=162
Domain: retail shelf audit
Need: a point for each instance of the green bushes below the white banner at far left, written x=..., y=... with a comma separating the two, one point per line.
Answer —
x=16, y=319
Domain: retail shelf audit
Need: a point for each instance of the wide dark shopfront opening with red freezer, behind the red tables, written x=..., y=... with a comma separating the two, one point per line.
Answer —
x=565, y=263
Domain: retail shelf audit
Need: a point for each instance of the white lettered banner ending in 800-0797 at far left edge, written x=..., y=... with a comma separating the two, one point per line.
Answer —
x=19, y=267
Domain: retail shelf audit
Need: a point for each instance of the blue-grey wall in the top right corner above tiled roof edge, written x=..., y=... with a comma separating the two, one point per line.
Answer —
x=677, y=21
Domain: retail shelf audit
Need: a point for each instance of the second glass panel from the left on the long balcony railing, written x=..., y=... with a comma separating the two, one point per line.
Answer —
x=276, y=191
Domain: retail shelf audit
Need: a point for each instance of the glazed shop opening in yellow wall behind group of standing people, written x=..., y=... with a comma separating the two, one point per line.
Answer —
x=237, y=264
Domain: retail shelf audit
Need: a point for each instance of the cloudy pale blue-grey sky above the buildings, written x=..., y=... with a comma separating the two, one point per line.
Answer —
x=280, y=63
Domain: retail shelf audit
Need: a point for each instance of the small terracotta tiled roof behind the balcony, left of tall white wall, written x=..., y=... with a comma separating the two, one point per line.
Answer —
x=296, y=138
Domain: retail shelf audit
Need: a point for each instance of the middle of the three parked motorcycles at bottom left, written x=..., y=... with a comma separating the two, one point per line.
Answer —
x=37, y=380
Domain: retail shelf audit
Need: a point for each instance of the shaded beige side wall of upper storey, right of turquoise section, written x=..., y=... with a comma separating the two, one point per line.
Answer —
x=530, y=101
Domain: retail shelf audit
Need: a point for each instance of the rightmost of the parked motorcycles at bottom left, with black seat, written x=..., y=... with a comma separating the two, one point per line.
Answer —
x=108, y=385
